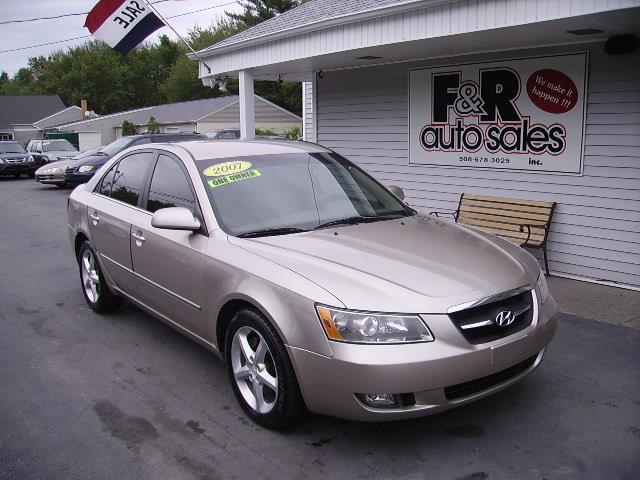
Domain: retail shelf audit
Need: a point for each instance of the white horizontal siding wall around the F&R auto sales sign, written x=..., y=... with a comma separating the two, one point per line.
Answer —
x=363, y=114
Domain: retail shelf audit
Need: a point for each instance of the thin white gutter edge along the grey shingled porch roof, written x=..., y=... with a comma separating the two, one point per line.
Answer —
x=320, y=24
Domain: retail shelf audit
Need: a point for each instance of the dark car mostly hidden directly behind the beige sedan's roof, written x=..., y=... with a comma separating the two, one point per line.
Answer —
x=81, y=170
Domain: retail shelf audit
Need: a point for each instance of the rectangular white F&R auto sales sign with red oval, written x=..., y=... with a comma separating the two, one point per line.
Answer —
x=523, y=114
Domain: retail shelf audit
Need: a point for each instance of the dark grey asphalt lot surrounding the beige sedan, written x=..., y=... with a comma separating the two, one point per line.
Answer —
x=124, y=396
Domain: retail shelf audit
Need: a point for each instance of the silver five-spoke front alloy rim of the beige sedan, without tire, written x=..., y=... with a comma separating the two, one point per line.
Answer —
x=254, y=369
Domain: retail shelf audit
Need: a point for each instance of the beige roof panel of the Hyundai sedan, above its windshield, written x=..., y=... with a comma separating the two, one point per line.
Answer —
x=212, y=148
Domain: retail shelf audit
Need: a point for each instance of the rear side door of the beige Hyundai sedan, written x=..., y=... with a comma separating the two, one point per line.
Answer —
x=112, y=209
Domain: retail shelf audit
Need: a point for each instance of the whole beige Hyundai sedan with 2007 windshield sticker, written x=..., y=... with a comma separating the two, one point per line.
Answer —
x=319, y=287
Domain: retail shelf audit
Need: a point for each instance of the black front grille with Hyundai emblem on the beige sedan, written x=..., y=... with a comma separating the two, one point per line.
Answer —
x=477, y=324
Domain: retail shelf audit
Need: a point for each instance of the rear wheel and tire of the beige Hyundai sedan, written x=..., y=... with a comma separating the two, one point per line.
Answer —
x=94, y=287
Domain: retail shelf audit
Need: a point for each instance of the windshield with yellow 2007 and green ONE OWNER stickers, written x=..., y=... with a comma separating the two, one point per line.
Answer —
x=285, y=193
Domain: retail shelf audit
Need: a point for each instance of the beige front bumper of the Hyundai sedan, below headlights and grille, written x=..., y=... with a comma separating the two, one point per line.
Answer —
x=329, y=384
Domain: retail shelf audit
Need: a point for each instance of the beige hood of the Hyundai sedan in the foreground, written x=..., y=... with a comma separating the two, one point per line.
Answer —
x=418, y=264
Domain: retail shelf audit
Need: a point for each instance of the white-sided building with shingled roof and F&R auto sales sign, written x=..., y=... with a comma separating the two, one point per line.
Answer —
x=534, y=99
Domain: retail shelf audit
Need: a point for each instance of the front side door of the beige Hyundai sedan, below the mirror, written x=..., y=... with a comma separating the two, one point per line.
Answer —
x=170, y=263
